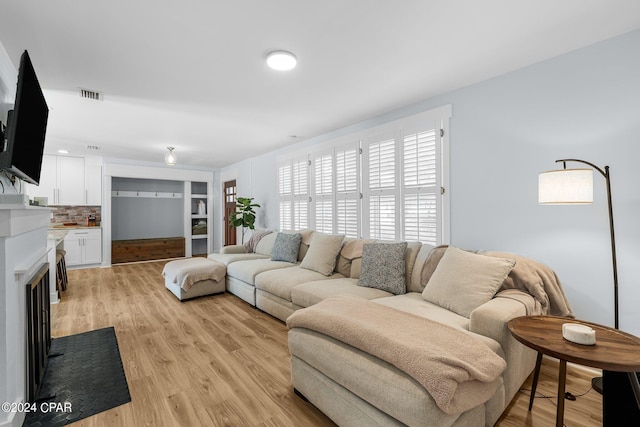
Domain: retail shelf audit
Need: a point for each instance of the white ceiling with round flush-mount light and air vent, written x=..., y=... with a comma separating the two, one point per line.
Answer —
x=191, y=74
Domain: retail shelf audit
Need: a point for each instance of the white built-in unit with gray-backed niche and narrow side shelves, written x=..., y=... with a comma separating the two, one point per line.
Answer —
x=158, y=216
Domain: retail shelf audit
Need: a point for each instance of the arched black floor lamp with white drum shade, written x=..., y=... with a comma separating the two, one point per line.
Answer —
x=575, y=186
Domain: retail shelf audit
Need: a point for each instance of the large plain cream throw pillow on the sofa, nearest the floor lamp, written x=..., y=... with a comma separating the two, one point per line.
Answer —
x=463, y=281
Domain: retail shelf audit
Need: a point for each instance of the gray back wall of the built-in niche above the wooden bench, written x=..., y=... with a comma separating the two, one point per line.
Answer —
x=144, y=217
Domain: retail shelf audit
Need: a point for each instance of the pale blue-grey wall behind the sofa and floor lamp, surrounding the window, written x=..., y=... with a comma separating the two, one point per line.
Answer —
x=504, y=131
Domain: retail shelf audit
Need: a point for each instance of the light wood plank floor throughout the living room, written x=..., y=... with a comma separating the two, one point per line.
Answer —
x=217, y=361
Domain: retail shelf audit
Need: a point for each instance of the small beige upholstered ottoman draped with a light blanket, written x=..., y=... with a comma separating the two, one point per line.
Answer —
x=194, y=277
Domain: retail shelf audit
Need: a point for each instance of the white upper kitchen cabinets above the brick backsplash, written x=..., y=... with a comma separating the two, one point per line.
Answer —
x=66, y=180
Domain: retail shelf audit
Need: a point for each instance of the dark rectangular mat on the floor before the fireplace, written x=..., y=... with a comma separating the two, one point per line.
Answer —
x=84, y=377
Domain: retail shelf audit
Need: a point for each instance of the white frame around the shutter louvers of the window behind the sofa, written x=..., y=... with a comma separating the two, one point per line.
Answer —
x=362, y=142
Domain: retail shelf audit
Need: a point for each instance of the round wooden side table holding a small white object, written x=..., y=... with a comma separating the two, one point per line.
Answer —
x=614, y=350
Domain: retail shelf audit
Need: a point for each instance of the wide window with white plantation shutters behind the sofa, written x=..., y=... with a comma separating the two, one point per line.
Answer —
x=387, y=182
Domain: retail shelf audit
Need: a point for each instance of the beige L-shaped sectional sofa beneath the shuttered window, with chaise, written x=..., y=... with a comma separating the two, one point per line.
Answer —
x=350, y=384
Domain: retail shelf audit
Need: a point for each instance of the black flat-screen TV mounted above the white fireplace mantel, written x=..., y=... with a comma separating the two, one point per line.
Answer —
x=26, y=126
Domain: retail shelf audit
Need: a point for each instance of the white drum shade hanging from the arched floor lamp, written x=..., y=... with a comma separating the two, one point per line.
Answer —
x=565, y=187
